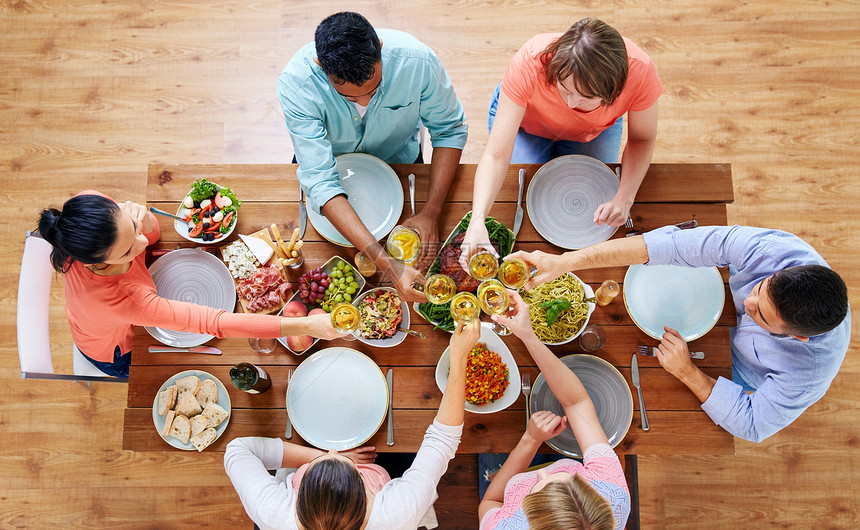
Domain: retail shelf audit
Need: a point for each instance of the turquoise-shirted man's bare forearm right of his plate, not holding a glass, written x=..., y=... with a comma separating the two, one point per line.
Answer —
x=443, y=167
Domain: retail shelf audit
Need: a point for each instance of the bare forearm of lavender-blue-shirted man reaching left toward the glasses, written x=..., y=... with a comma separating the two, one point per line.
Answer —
x=612, y=253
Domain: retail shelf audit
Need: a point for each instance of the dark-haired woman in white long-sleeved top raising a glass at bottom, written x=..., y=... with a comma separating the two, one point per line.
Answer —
x=346, y=491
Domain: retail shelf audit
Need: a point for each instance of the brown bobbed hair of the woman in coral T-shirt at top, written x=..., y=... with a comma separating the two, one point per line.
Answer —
x=594, y=53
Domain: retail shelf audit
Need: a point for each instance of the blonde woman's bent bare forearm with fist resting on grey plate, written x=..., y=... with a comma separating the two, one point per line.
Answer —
x=542, y=426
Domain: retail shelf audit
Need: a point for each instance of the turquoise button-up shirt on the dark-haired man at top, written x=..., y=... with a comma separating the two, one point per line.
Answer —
x=415, y=89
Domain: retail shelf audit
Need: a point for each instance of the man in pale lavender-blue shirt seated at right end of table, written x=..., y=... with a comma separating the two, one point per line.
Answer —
x=793, y=326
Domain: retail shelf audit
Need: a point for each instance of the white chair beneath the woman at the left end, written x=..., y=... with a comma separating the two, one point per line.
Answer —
x=34, y=342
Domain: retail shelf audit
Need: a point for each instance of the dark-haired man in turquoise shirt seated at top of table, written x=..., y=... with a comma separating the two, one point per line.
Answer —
x=354, y=90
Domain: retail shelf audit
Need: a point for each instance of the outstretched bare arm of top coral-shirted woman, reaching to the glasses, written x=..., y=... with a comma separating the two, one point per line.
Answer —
x=490, y=175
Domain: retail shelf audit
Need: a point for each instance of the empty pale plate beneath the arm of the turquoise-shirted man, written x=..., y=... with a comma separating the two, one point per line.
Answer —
x=374, y=191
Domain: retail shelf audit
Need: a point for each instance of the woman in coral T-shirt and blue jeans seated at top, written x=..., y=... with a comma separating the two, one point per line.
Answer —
x=567, y=94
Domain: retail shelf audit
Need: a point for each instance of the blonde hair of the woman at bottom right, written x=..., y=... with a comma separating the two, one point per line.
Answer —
x=569, y=505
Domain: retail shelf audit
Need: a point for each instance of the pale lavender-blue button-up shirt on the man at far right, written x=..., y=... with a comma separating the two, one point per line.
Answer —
x=789, y=375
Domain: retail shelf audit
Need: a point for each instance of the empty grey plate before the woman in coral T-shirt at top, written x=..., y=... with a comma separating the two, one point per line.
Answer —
x=562, y=198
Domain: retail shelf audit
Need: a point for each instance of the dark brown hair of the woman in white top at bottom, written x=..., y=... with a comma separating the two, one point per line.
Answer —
x=331, y=497
